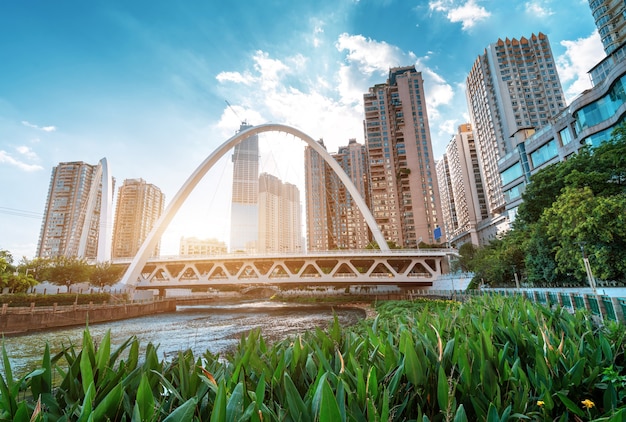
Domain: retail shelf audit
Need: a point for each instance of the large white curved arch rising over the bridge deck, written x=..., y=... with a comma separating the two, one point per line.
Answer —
x=133, y=273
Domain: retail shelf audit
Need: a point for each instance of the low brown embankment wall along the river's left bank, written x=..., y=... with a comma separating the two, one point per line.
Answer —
x=22, y=320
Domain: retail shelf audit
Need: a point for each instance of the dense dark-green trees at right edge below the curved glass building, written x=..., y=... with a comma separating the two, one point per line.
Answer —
x=580, y=201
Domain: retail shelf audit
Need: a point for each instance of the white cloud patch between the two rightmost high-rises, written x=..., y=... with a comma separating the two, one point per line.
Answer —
x=580, y=56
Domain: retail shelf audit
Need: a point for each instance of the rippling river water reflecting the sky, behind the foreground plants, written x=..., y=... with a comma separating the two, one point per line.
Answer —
x=216, y=328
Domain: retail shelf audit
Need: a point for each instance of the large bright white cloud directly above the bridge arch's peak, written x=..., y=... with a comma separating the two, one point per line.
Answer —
x=326, y=101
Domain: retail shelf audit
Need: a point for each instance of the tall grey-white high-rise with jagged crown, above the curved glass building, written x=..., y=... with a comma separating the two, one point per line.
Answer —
x=512, y=89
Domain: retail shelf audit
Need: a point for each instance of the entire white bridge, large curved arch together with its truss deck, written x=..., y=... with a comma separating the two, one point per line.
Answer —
x=343, y=267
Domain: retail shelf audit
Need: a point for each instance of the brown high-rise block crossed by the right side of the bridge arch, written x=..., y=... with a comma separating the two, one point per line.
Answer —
x=333, y=218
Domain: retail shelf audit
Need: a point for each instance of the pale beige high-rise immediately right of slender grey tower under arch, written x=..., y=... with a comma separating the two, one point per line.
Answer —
x=279, y=216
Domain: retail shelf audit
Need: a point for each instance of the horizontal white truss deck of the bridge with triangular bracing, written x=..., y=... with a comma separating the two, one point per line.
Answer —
x=367, y=267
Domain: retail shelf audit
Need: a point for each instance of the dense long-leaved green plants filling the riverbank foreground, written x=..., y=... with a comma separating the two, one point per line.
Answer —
x=492, y=358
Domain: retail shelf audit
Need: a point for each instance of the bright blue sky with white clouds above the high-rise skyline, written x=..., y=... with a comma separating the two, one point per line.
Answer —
x=156, y=86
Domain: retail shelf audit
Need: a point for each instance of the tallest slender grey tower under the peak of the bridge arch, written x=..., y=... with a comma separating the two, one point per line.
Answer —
x=245, y=203
